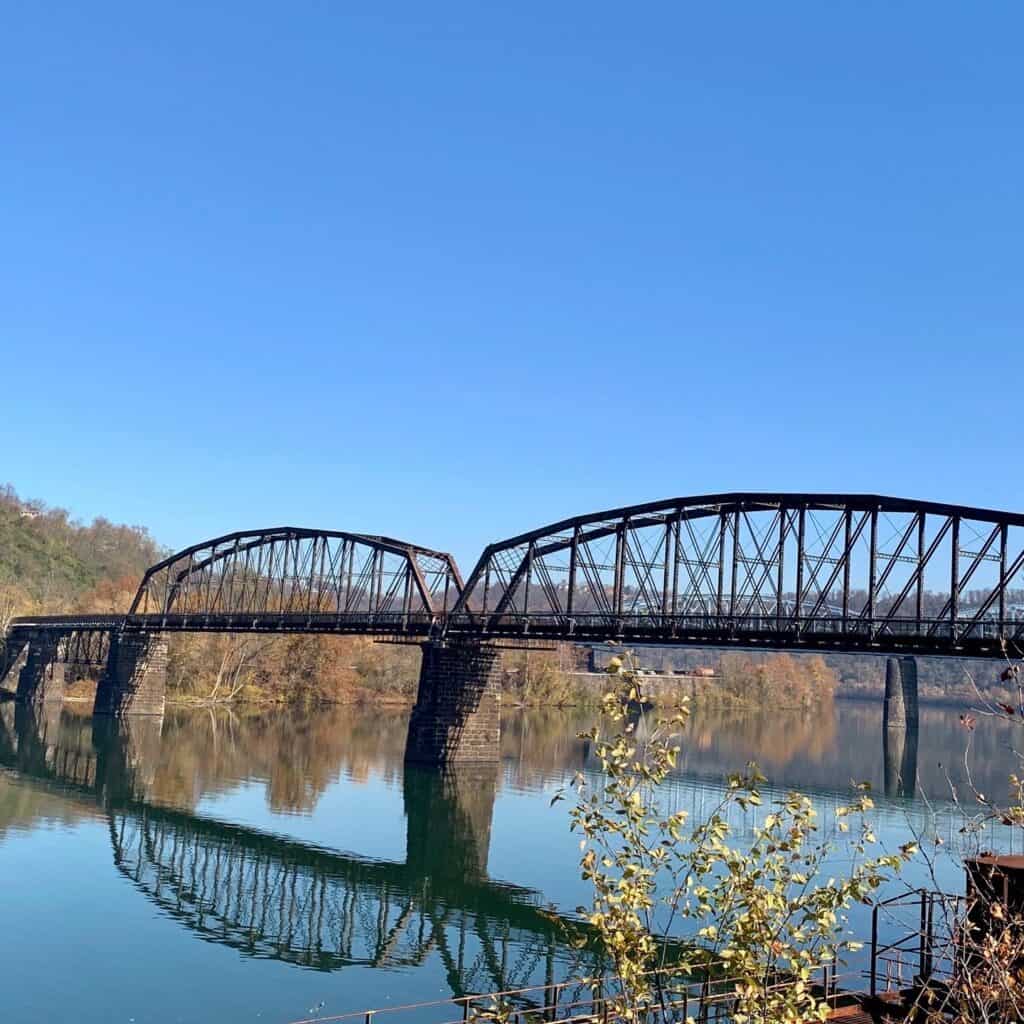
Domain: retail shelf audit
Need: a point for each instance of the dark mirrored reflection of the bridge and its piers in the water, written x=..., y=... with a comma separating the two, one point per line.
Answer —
x=280, y=899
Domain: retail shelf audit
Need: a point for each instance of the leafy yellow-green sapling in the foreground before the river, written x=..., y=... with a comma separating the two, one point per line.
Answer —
x=763, y=916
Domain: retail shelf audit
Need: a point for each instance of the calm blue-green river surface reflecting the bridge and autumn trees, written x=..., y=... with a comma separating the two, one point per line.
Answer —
x=221, y=867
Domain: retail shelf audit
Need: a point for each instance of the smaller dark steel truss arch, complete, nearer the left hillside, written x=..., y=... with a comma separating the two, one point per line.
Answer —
x=313, y=579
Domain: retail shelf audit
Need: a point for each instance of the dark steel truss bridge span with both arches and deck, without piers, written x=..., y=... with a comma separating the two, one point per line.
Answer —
x=854, y=573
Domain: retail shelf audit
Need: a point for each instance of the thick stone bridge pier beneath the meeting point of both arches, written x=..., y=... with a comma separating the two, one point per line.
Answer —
x=457, y=717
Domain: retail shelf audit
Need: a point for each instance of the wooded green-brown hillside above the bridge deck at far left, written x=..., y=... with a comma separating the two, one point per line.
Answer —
x=50, y=562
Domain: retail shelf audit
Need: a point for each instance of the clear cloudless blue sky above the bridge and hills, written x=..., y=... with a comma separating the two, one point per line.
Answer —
x=450, y=273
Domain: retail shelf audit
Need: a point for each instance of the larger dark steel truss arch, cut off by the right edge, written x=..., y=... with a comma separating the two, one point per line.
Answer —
x=828, y=571
